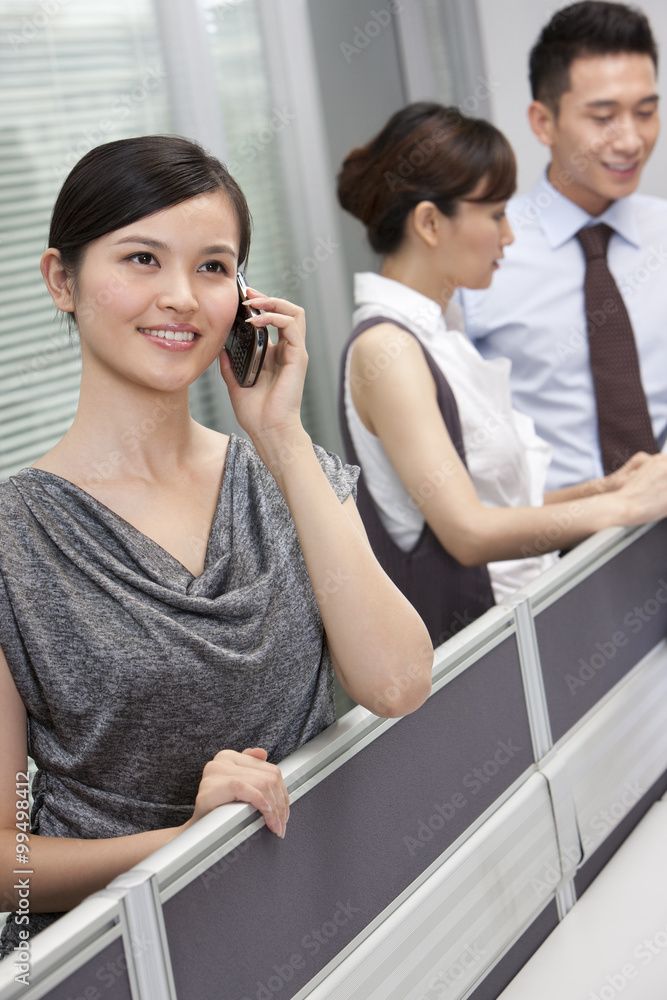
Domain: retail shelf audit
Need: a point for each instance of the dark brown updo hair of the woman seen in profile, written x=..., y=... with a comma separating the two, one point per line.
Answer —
x=425, y=152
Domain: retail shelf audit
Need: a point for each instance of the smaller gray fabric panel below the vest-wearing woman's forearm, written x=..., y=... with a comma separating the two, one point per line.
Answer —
x=598, y=631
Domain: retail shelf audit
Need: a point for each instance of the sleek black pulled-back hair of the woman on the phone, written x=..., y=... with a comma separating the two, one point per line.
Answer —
x=121, y=182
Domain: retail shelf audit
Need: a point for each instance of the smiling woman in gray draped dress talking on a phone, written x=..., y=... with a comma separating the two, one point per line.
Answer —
x=168, y=627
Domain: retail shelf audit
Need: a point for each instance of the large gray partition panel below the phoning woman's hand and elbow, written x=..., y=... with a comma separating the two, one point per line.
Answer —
x=272, y=914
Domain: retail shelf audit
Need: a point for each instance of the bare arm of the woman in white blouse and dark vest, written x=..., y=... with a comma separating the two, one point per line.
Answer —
x=399, y=405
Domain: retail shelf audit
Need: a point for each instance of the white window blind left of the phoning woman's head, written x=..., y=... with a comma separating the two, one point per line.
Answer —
x=73, y=74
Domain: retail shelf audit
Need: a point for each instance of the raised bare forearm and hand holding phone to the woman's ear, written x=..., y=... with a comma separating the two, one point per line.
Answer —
x=380, y=647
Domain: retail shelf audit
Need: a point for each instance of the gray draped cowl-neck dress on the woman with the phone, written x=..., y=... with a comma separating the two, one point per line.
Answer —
x=134, y=673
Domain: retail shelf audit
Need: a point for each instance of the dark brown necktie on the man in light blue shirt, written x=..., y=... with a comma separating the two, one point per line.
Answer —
x=624, y=424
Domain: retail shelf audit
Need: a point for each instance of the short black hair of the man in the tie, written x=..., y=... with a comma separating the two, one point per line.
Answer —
x=592, y=28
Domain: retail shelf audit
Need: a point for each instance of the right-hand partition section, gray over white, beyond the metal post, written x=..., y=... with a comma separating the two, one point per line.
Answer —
x=614, y=562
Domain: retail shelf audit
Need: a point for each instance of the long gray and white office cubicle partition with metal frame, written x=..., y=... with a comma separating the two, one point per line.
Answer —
x=427, y=856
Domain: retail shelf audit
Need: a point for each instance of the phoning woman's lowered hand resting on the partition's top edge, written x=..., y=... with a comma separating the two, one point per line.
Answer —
x=243, y=777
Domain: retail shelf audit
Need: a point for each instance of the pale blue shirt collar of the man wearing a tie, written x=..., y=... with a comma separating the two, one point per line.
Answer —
x=561, y=219
